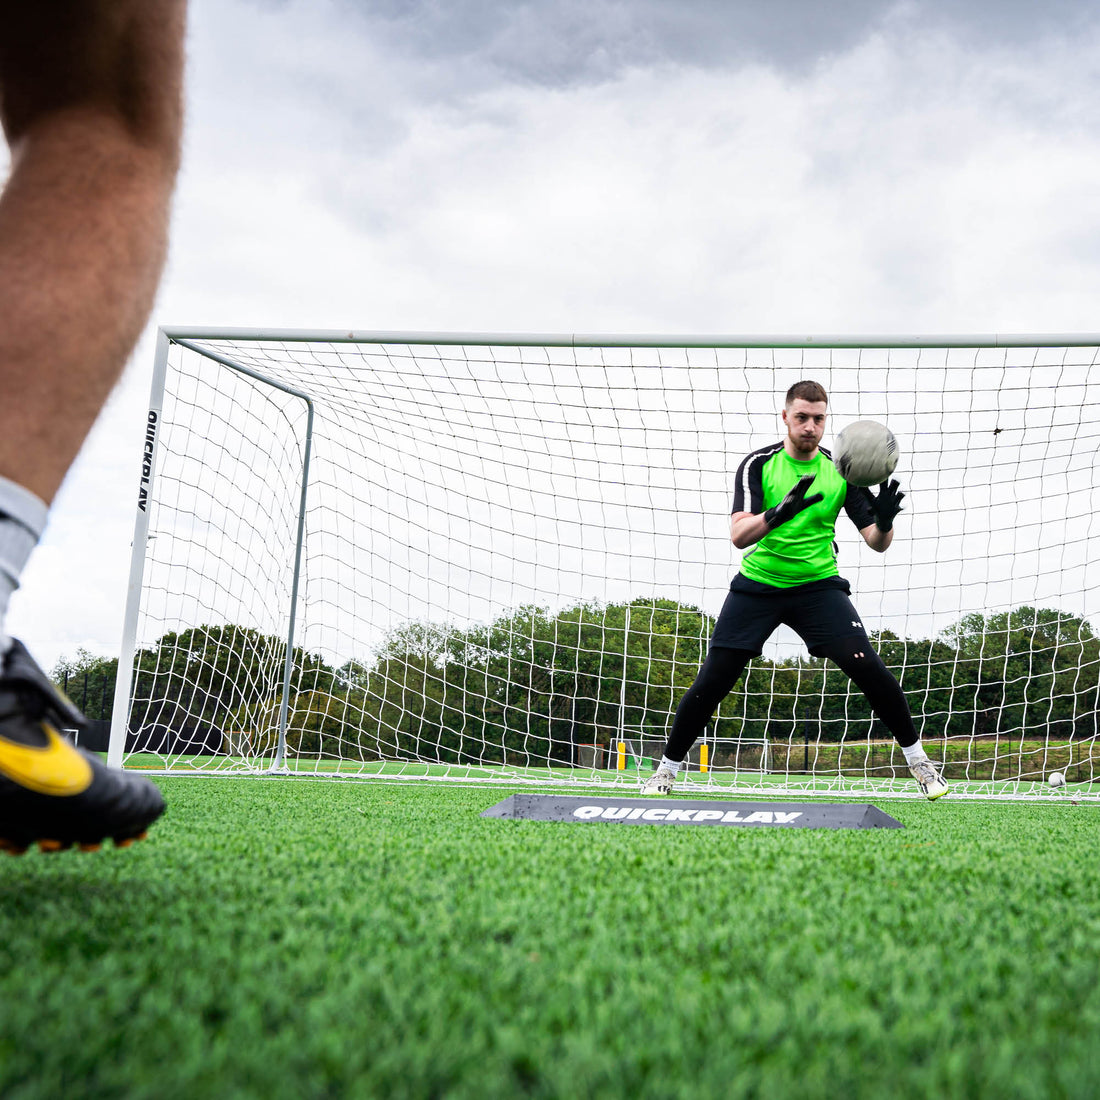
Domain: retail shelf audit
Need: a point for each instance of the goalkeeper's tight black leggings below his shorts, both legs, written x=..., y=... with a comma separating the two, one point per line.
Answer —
x=723, y=667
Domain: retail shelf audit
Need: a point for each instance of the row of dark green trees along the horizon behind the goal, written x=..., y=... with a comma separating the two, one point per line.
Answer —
x=535, y=686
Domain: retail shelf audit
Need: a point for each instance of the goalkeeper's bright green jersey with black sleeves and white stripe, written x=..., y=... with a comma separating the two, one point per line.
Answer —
x=804, y=549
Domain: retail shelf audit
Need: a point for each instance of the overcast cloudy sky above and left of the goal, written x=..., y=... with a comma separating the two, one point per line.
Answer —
x=727, y=167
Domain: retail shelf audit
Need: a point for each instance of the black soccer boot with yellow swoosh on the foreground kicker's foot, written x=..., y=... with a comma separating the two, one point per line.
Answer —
x=53, y=794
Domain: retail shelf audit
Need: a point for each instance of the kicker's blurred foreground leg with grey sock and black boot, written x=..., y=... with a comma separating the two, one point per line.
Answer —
x=91, y=106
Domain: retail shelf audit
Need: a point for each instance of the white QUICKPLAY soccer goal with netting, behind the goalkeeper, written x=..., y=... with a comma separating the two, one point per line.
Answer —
x=501, y=558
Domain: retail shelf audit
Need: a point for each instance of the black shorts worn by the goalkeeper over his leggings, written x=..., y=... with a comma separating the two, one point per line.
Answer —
x=819, y=612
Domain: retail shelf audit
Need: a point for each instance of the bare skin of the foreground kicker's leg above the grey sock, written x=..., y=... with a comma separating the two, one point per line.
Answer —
x=91, y=105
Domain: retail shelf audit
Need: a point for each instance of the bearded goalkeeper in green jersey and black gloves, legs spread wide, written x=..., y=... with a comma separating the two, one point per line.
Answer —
x=786, y=505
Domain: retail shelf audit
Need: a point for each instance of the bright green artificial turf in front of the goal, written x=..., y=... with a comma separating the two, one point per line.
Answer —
x=309, y=939
